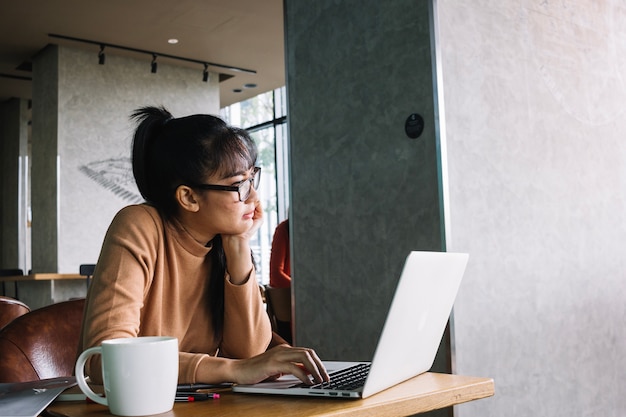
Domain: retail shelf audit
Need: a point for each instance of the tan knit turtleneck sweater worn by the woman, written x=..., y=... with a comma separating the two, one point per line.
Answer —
x=152, y=279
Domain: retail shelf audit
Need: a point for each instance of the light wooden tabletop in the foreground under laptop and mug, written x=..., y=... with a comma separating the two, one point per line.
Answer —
x=429, y=391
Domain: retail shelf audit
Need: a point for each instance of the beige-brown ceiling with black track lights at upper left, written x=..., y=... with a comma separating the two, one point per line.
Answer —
x=240, y=33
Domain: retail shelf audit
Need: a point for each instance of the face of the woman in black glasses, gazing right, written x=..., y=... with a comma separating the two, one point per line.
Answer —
x=221, y=212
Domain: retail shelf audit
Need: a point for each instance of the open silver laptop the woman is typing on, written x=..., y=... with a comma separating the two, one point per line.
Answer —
x=409, y=340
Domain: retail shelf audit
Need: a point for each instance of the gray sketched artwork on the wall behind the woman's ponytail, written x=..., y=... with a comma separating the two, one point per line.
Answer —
x=114, y=174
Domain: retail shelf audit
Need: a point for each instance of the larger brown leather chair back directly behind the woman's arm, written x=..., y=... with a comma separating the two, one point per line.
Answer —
x=41, y=344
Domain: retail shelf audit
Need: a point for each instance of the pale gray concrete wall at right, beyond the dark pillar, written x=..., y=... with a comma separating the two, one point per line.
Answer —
x=535, y=103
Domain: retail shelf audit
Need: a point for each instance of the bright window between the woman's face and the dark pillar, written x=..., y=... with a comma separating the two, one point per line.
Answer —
x=265, y=117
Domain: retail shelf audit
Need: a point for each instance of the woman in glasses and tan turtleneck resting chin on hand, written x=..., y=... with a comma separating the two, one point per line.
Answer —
x=181, y=265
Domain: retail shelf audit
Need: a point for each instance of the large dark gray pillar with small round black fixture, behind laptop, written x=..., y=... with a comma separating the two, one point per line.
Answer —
x=363, y=193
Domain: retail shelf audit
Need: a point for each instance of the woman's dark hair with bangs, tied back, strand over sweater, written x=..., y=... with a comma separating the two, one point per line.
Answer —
x=168, y=152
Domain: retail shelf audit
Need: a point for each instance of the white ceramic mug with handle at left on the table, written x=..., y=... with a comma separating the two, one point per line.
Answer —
x=140, y=374
